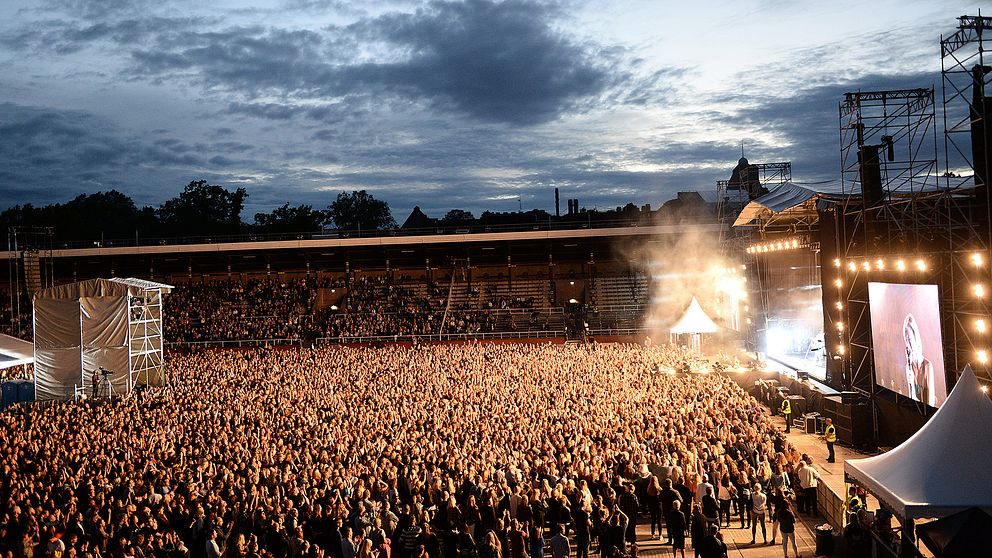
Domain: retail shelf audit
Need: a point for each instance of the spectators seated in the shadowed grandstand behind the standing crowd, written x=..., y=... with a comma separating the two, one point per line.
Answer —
x=370, y=306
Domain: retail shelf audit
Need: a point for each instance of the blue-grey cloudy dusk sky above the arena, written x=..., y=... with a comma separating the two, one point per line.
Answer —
x=443, y=104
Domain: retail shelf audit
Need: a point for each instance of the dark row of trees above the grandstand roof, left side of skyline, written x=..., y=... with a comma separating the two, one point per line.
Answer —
x=201, y=209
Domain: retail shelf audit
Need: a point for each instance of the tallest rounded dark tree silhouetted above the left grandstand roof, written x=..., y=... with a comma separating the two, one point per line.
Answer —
x=203, y=209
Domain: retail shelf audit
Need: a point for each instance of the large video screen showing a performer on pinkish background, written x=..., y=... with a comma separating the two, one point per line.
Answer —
x=905, y=330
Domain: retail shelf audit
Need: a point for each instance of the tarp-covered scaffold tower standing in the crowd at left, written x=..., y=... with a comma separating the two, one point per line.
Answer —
x=114, y=324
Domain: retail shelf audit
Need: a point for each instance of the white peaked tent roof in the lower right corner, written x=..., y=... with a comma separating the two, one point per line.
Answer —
x=943, y=468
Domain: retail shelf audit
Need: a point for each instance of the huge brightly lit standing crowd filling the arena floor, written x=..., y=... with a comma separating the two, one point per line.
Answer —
x=435, y=451
